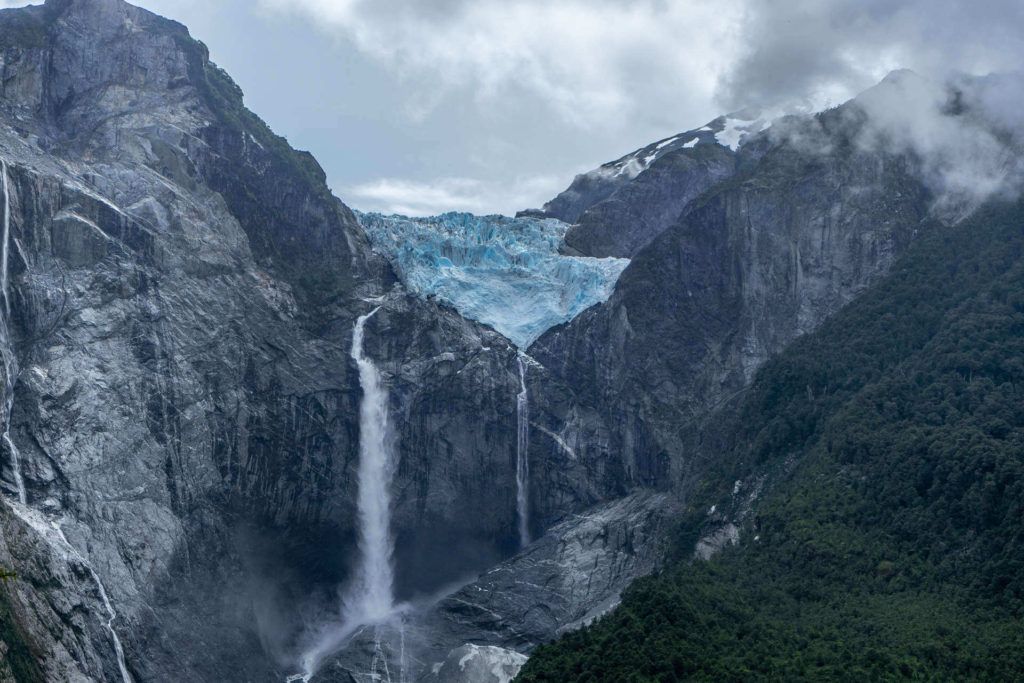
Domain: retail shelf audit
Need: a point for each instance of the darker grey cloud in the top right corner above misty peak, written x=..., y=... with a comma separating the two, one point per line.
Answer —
x=818, y=53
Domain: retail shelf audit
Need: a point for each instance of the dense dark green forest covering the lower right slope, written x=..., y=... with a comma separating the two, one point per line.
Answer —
x=889, y=540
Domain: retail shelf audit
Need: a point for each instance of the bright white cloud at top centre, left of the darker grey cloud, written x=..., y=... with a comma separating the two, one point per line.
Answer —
x=590, y=62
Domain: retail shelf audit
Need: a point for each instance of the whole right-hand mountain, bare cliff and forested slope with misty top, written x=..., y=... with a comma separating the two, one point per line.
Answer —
x=848, y=458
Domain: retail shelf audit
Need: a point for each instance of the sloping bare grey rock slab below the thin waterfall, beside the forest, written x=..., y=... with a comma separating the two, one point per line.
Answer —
x=573, y=575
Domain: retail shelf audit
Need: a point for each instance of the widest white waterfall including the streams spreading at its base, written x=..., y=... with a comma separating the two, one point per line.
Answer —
x=370, y=600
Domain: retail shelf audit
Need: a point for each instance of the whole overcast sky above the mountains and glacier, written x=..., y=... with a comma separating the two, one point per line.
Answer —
x=493, y=106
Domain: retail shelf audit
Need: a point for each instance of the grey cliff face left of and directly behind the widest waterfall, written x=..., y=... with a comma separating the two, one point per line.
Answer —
x=184, y=289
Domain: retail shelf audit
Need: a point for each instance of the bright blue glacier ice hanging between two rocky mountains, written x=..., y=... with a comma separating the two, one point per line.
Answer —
x=503, y=272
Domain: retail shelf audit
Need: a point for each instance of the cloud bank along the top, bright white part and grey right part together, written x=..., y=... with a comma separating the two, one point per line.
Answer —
x=594, y=62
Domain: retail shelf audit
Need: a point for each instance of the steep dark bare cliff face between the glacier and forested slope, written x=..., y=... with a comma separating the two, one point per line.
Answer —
x=809, y=221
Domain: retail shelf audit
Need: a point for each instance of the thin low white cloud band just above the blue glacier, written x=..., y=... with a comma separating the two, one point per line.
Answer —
x=412, y=198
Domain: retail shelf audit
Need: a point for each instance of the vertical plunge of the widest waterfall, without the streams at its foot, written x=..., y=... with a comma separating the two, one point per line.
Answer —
x=371, y=599
